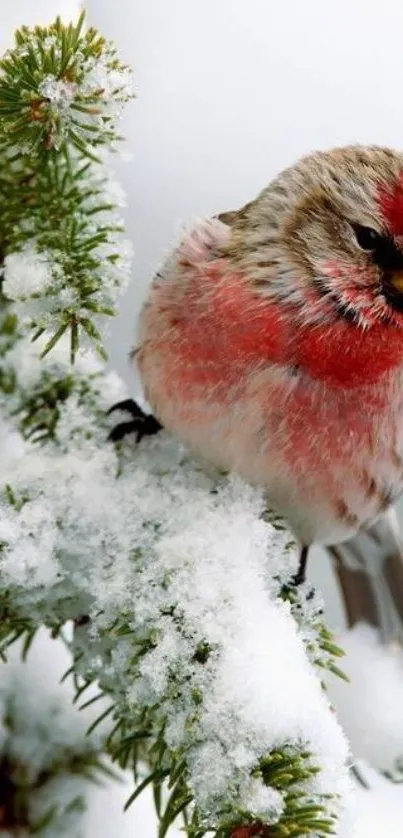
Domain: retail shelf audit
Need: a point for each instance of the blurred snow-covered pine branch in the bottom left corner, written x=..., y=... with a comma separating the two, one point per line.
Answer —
x=46, y=759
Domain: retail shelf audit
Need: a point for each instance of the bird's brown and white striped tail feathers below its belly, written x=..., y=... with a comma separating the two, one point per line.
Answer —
x=369, y=569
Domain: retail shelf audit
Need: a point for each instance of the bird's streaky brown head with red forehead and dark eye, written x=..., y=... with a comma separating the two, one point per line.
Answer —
x=326, y=237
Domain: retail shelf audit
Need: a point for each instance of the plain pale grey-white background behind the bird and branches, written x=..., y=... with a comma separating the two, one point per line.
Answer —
x=230, y=92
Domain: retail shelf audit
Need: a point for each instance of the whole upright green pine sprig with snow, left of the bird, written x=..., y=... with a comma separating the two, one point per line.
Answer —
x=66, y=260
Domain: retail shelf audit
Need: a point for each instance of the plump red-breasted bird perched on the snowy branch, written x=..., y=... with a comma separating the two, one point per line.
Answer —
x=271, y=344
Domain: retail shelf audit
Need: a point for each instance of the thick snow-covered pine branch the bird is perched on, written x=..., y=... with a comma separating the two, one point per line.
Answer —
x=180, y=576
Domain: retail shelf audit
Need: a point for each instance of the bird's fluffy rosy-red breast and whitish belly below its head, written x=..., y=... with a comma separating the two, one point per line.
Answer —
x=238, y=377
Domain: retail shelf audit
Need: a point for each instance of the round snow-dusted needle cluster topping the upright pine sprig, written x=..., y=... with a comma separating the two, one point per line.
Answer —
x=62, y=84
